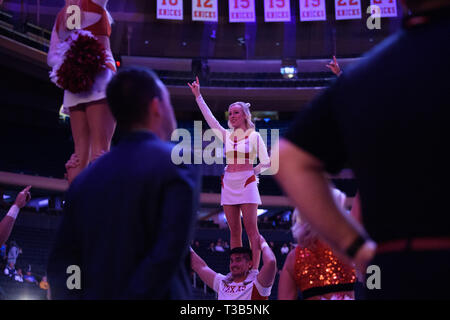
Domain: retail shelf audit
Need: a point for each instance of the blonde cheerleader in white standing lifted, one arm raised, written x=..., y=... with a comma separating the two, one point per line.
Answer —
x=239, y=183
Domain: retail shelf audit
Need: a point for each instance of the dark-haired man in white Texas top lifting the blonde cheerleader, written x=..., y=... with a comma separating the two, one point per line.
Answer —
x=242, y=283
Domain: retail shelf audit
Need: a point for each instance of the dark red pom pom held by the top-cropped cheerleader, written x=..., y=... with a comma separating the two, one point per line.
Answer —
x=84, y=59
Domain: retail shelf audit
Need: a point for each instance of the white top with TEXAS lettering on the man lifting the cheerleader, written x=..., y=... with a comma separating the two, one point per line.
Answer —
x=250, y=289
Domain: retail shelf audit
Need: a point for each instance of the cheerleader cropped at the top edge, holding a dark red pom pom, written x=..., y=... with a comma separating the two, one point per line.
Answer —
x=91, y=120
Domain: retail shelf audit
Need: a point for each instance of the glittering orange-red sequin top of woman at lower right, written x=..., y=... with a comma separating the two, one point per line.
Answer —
x=318, y=271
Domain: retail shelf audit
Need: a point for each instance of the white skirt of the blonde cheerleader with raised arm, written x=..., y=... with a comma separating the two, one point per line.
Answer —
x=239, y=187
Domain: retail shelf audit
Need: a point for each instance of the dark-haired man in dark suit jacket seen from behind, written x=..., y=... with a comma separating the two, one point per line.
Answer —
x=129, y=217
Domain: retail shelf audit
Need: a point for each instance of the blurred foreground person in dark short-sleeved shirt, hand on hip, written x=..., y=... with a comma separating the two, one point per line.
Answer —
x=385, y=118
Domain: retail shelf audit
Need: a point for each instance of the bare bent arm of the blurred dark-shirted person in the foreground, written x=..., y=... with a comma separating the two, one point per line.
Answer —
x=304, y=181
